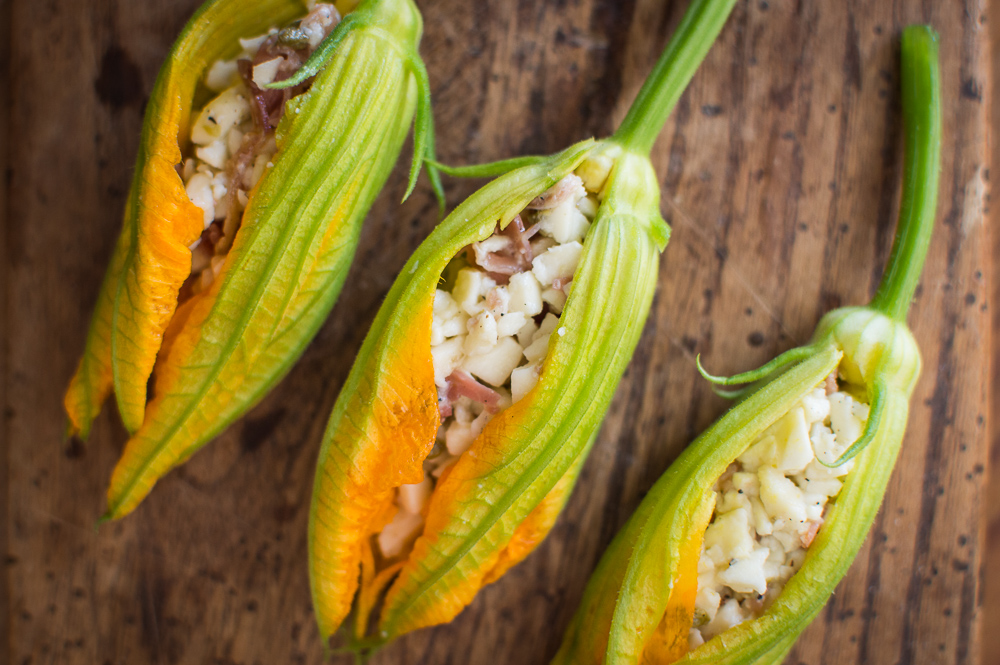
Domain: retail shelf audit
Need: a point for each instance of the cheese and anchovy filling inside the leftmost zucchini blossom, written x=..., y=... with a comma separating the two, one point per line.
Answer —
x=232, y=138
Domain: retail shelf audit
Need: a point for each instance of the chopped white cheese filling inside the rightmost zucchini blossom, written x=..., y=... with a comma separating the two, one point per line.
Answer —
x=769, y=506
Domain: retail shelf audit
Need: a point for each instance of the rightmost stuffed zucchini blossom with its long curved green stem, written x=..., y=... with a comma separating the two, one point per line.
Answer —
x=738, y=546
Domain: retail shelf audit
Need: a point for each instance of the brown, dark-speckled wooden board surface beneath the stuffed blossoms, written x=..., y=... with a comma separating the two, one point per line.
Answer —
x=780, y=174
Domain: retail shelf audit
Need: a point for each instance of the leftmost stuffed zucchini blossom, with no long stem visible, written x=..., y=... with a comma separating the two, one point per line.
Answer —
x=262, y=151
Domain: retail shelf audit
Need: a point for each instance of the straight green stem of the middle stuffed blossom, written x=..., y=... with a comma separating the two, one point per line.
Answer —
x=701, y=24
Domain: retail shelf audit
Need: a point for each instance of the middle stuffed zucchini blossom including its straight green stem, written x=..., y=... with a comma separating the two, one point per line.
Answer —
x=481, y=386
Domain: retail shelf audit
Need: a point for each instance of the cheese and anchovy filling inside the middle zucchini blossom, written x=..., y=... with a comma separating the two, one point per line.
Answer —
x=499, y=303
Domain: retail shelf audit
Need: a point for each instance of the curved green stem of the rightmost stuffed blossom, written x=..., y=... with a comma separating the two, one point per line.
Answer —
x=922, y=125
